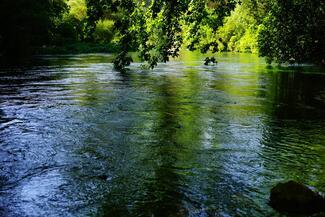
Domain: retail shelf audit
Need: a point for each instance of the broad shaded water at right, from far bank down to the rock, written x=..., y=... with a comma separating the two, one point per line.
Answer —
x=293, y=134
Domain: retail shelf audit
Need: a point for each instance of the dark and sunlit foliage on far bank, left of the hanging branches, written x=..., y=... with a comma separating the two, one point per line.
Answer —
x=48, y=26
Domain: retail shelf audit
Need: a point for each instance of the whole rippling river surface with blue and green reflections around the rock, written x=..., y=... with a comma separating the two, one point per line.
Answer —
x=79, y=139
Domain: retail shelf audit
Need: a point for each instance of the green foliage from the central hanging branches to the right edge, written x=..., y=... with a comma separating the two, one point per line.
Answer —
x=283, y=31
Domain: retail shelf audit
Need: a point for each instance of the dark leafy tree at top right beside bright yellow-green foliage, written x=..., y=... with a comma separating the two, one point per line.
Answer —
x=293, y=31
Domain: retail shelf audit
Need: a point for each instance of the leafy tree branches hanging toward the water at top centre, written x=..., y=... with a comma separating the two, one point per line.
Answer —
x=155, y=27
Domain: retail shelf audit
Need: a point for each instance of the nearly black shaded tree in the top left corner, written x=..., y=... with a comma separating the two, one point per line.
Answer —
x=25, y=24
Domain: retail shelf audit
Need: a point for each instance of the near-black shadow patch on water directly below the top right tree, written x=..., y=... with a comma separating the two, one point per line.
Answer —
x=298, y=95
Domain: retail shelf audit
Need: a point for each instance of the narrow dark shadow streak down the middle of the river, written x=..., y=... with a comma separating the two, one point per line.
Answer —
x=159, y=195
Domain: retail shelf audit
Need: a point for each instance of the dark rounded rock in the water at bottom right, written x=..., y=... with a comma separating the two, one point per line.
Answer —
x=294, y=197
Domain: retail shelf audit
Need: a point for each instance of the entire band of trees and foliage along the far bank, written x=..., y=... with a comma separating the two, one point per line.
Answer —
x=282, y=31
